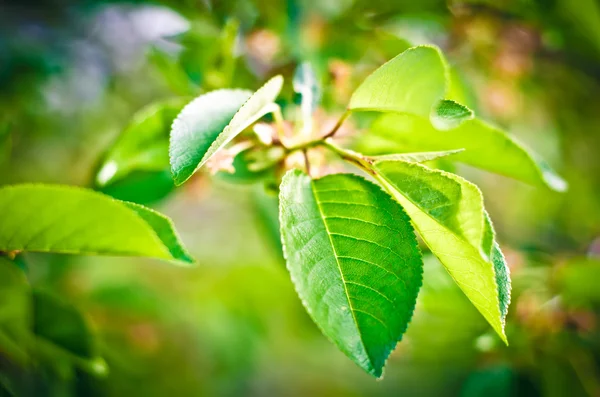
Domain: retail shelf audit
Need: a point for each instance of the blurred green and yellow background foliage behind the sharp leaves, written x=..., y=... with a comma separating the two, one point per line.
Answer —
x=72, y=75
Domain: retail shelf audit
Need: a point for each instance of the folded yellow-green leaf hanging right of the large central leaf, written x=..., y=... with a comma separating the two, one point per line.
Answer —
x=448, y=213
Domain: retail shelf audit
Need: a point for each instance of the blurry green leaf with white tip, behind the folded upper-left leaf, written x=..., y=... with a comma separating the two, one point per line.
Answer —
x=143, y=145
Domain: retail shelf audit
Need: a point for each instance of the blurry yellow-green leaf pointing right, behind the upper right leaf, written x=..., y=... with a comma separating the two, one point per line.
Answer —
x=486, y=147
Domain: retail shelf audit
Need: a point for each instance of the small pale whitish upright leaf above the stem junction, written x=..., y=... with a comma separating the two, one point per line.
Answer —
x=306, y=84
